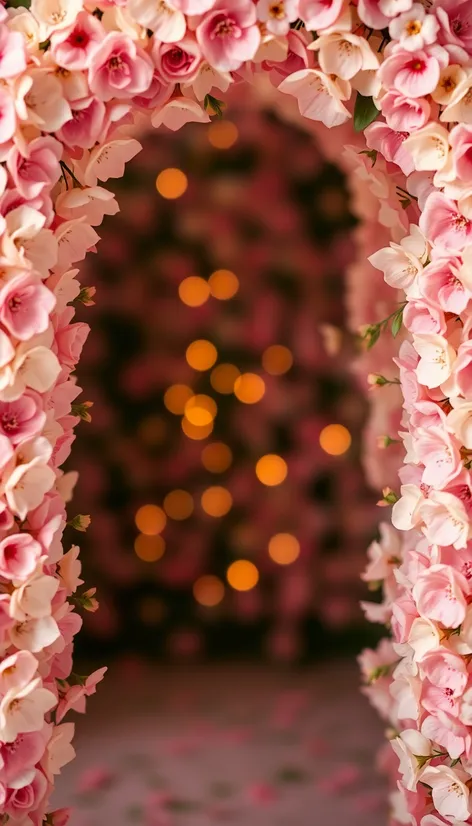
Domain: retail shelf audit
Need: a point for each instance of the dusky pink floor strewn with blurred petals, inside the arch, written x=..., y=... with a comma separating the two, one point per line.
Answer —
x=236, y=745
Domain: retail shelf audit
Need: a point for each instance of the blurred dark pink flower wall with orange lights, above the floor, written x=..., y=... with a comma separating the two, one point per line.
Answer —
x=221, y=465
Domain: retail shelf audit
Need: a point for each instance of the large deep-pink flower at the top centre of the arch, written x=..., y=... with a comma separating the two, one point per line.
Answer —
x=228, y=35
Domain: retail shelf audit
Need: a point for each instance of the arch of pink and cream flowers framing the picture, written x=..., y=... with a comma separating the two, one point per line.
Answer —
x=78, y=79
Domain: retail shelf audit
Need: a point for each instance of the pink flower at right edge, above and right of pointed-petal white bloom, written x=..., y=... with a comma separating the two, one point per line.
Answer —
x=443, y=225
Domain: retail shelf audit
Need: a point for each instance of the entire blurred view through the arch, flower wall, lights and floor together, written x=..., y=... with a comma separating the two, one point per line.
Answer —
x=230, y=515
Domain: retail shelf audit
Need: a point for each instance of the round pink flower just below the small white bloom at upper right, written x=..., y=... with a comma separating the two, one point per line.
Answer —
x=414, y=75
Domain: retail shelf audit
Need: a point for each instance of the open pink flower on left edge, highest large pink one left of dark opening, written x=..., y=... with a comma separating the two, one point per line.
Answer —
x=25, y=306
